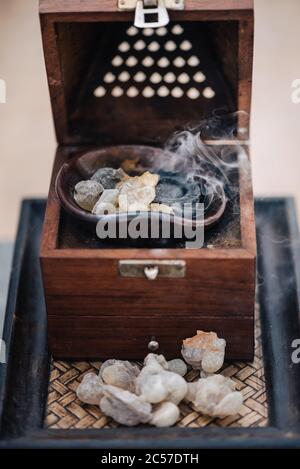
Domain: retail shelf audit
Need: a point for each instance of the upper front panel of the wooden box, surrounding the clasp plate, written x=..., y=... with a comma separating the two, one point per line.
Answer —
x=93, y=287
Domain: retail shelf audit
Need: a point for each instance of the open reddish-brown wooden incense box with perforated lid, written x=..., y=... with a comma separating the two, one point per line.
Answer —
x=92, y=310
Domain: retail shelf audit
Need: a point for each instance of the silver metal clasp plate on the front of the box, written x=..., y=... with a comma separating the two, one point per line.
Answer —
x=152, y=269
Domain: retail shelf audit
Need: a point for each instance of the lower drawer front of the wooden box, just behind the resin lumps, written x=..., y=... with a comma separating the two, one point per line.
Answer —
x=124, y=337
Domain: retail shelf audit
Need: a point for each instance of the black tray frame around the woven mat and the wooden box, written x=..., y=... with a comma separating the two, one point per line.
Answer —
x=24, y=378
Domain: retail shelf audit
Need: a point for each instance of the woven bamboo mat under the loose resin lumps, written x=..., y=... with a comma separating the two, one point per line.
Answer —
x=65, y=411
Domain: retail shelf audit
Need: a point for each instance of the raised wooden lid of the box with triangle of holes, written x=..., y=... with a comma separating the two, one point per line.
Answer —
x=111, y=83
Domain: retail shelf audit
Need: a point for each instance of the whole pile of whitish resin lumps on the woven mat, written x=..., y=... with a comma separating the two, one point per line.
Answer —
x=152, y=394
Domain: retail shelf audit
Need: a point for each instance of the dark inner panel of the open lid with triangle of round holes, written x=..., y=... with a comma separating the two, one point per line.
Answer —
x=140, y=85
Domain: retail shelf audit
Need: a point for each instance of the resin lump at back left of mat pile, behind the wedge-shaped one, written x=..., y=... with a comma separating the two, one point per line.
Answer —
x=122, y=374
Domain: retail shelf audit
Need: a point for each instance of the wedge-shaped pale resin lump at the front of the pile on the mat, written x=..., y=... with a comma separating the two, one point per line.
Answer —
x=124, y=407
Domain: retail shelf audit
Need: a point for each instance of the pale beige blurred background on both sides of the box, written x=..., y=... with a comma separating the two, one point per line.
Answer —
x=27, y=142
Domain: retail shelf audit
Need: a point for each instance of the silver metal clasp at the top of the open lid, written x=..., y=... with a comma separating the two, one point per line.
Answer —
x=156, y=8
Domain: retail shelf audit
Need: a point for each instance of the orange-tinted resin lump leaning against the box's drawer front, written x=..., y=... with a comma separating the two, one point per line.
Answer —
x=204, y=351
